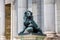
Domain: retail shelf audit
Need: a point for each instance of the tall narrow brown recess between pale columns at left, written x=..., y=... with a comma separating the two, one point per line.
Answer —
x=8, y=21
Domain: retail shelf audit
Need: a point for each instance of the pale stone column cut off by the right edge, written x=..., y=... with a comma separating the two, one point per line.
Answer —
x=58, y=17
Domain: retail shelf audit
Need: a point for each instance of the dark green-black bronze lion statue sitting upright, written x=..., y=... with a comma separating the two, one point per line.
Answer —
x=30, y=24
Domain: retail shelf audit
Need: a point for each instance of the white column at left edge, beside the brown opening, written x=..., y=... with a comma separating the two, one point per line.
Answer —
x=2, y=20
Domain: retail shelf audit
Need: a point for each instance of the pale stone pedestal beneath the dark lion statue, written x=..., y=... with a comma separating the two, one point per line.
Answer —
x=30, y=37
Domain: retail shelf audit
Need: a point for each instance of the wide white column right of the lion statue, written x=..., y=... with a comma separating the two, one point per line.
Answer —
x=49, y=17
